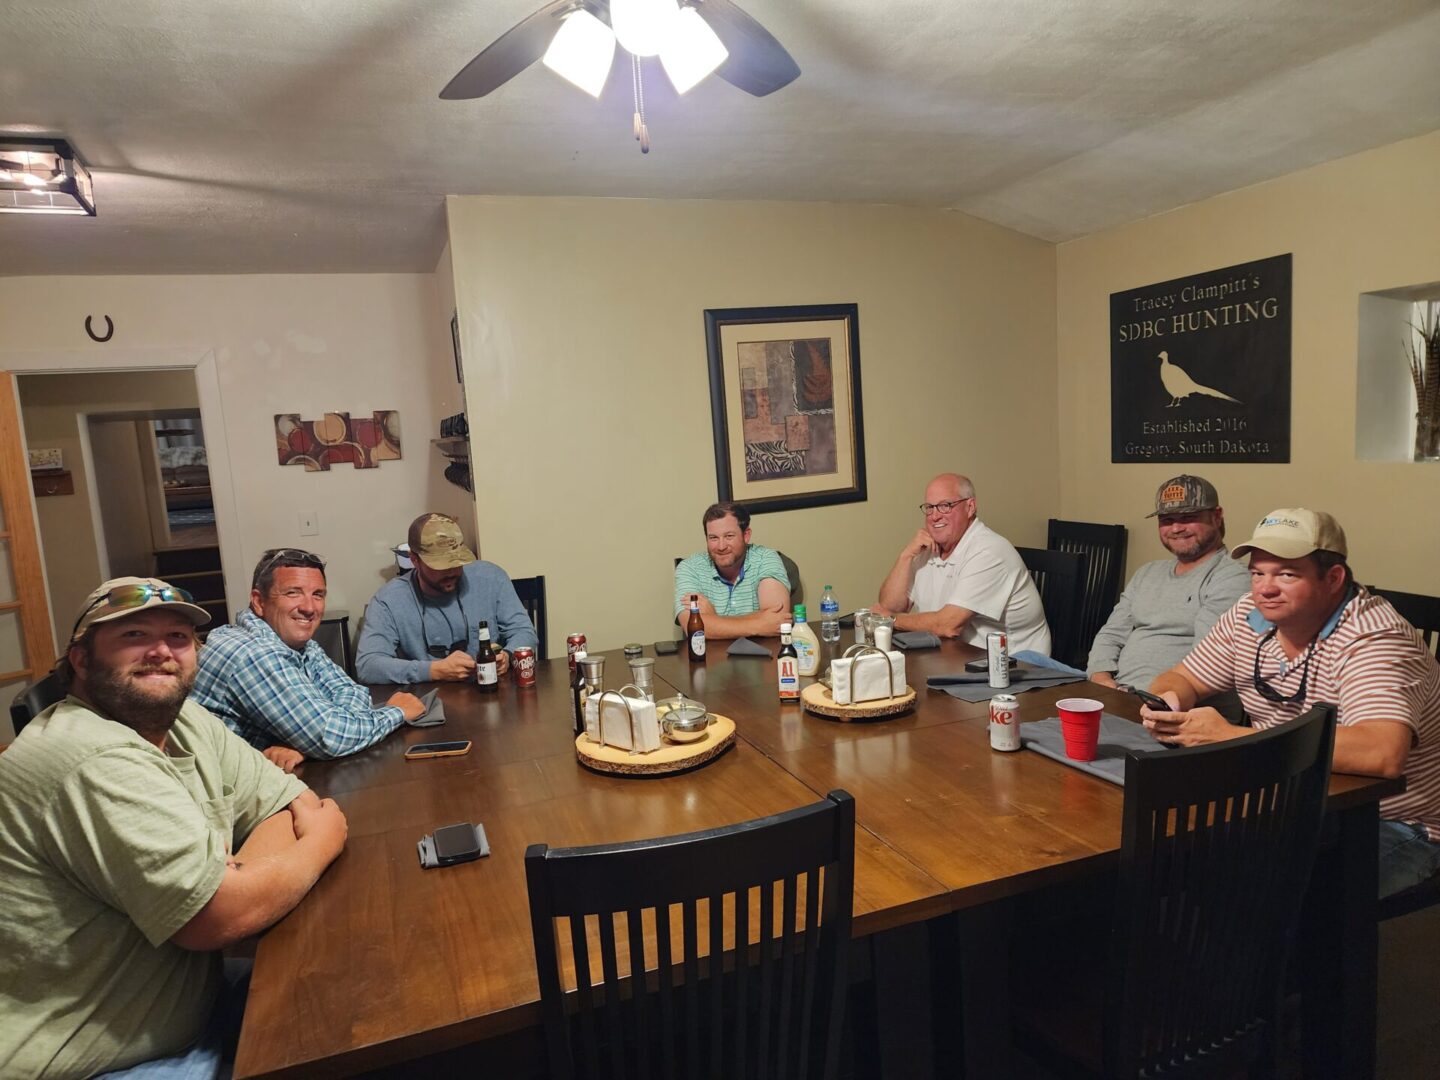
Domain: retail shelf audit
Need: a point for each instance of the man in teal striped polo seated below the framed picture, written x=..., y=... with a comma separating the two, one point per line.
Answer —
x=744, y=588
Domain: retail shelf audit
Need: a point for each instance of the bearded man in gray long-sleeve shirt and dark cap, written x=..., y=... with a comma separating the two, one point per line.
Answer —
x=1170, y=604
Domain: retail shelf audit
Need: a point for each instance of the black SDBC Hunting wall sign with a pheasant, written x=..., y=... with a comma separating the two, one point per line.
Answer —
x=1200, y=366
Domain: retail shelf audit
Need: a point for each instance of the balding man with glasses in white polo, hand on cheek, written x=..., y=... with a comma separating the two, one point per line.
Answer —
x=960, y=580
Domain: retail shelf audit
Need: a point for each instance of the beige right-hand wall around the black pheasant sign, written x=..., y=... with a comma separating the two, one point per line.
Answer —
x=1357, y=225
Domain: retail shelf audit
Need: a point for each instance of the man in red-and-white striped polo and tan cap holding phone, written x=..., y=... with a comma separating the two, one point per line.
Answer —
x=1308, y=633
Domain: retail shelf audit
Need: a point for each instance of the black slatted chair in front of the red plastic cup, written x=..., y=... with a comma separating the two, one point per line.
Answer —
x=1216, y=856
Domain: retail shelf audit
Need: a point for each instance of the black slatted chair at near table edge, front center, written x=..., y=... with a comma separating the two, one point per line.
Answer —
x=660, y=921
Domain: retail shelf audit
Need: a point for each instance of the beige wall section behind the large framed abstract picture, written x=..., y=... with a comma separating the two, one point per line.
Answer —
x=582, y=325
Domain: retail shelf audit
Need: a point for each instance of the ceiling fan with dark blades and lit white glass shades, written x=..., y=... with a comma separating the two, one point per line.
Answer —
x=578, y=38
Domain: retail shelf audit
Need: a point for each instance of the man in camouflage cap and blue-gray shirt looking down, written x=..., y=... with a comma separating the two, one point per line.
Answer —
x=423, y=629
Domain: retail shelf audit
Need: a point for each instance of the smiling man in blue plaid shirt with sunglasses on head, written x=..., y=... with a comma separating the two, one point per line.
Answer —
x=274, y=686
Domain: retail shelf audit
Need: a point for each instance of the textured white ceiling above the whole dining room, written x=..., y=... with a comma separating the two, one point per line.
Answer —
x=307, y=136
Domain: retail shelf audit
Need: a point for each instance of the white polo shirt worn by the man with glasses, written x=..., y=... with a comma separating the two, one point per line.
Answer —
x=986, y=575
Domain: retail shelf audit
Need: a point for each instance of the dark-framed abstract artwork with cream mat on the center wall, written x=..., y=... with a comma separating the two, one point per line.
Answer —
x=786, y=405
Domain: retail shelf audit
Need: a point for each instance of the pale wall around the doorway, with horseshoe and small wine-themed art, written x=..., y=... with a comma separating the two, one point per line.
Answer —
x=283, y=343
